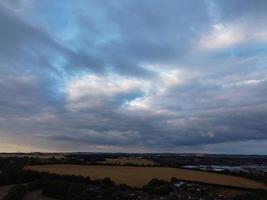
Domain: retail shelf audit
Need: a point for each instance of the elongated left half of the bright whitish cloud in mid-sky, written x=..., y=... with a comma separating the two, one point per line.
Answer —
x=94, y=90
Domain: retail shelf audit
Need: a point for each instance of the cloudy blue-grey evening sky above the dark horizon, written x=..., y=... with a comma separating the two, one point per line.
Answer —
x=133, y=76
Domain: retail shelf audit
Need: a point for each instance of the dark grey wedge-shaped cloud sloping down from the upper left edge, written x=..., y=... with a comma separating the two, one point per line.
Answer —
x=24, y=44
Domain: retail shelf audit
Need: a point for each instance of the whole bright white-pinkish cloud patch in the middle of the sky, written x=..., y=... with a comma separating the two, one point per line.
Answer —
x=94, y=90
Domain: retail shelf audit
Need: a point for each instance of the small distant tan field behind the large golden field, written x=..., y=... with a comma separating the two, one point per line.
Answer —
x=128, y=160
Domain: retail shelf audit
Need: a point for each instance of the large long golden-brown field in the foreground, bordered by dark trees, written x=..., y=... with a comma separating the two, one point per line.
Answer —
x=139, y=176
